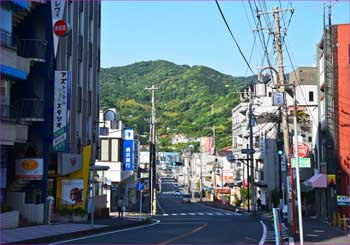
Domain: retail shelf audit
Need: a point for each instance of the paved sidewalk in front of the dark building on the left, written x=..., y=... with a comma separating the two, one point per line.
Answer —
x=49, y=233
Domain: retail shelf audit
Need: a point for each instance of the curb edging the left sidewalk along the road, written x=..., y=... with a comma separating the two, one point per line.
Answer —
x=55, y=238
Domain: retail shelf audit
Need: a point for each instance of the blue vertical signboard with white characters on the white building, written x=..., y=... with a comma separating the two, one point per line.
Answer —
x=128, y=150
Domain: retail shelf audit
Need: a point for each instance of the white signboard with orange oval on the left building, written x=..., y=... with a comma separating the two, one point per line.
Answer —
x=29, y=168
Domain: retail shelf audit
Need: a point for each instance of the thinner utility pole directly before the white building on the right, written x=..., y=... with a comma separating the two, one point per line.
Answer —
x=251, y=146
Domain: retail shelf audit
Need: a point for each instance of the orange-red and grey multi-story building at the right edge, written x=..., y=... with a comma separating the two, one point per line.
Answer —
x=334, y=131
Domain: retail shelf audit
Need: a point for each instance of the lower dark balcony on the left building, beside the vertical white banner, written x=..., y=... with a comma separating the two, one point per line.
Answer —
x=30, y=110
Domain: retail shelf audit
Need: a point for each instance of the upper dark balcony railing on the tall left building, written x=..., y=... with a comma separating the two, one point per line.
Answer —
x=33, y=49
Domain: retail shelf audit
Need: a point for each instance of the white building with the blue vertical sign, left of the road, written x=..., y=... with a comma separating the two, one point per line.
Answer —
x=118, y=182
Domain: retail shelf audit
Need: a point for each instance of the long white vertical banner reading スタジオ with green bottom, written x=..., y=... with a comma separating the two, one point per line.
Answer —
x=61, y=111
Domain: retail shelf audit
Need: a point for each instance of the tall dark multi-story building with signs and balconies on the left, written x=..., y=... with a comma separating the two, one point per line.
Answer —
x=32, y=102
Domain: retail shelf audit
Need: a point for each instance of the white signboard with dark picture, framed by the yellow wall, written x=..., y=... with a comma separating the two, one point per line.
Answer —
x=72, y=191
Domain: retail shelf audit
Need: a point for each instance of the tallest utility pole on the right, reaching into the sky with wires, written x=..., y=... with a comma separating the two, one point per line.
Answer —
x=281, y=85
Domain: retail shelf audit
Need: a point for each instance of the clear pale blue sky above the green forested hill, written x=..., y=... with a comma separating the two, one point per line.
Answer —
x=193, y=32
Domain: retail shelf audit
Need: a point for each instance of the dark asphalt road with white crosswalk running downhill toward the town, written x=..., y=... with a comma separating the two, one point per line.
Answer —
x=185, y=223
